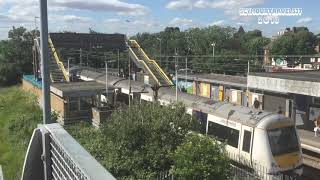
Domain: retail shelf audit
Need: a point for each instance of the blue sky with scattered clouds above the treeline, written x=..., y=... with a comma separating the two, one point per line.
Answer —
x=133, y=16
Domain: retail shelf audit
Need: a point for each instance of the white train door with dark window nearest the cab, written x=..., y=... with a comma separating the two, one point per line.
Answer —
x=246, y=145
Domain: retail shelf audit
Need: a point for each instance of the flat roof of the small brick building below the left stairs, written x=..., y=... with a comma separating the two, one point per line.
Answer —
x=76, y=89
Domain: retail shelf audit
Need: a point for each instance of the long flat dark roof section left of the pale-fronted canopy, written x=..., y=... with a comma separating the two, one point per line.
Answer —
x=237, y=81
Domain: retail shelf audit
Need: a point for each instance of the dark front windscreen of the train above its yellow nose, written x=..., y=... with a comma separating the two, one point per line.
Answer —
x=283, y=140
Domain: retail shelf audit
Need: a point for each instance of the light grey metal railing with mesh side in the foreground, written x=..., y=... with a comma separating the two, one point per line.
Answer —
x=54, y=154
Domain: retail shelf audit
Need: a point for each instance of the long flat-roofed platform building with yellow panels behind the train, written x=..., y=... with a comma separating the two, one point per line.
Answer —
x=294, y=94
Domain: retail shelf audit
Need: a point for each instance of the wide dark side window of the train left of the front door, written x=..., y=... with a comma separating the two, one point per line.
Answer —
x=224, y=133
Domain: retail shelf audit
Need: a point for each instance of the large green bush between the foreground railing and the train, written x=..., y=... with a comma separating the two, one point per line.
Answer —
x=137, y=143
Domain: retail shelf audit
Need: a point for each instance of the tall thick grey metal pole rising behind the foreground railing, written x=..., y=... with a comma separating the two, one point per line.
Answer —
x=45, y=62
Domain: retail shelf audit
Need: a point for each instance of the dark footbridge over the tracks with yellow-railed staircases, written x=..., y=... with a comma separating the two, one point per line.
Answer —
x=58, y=42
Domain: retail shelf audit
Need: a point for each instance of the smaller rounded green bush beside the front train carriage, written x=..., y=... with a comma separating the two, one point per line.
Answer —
x=201, y=157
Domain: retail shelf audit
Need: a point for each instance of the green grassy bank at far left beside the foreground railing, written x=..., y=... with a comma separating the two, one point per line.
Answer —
x=19, y=115
